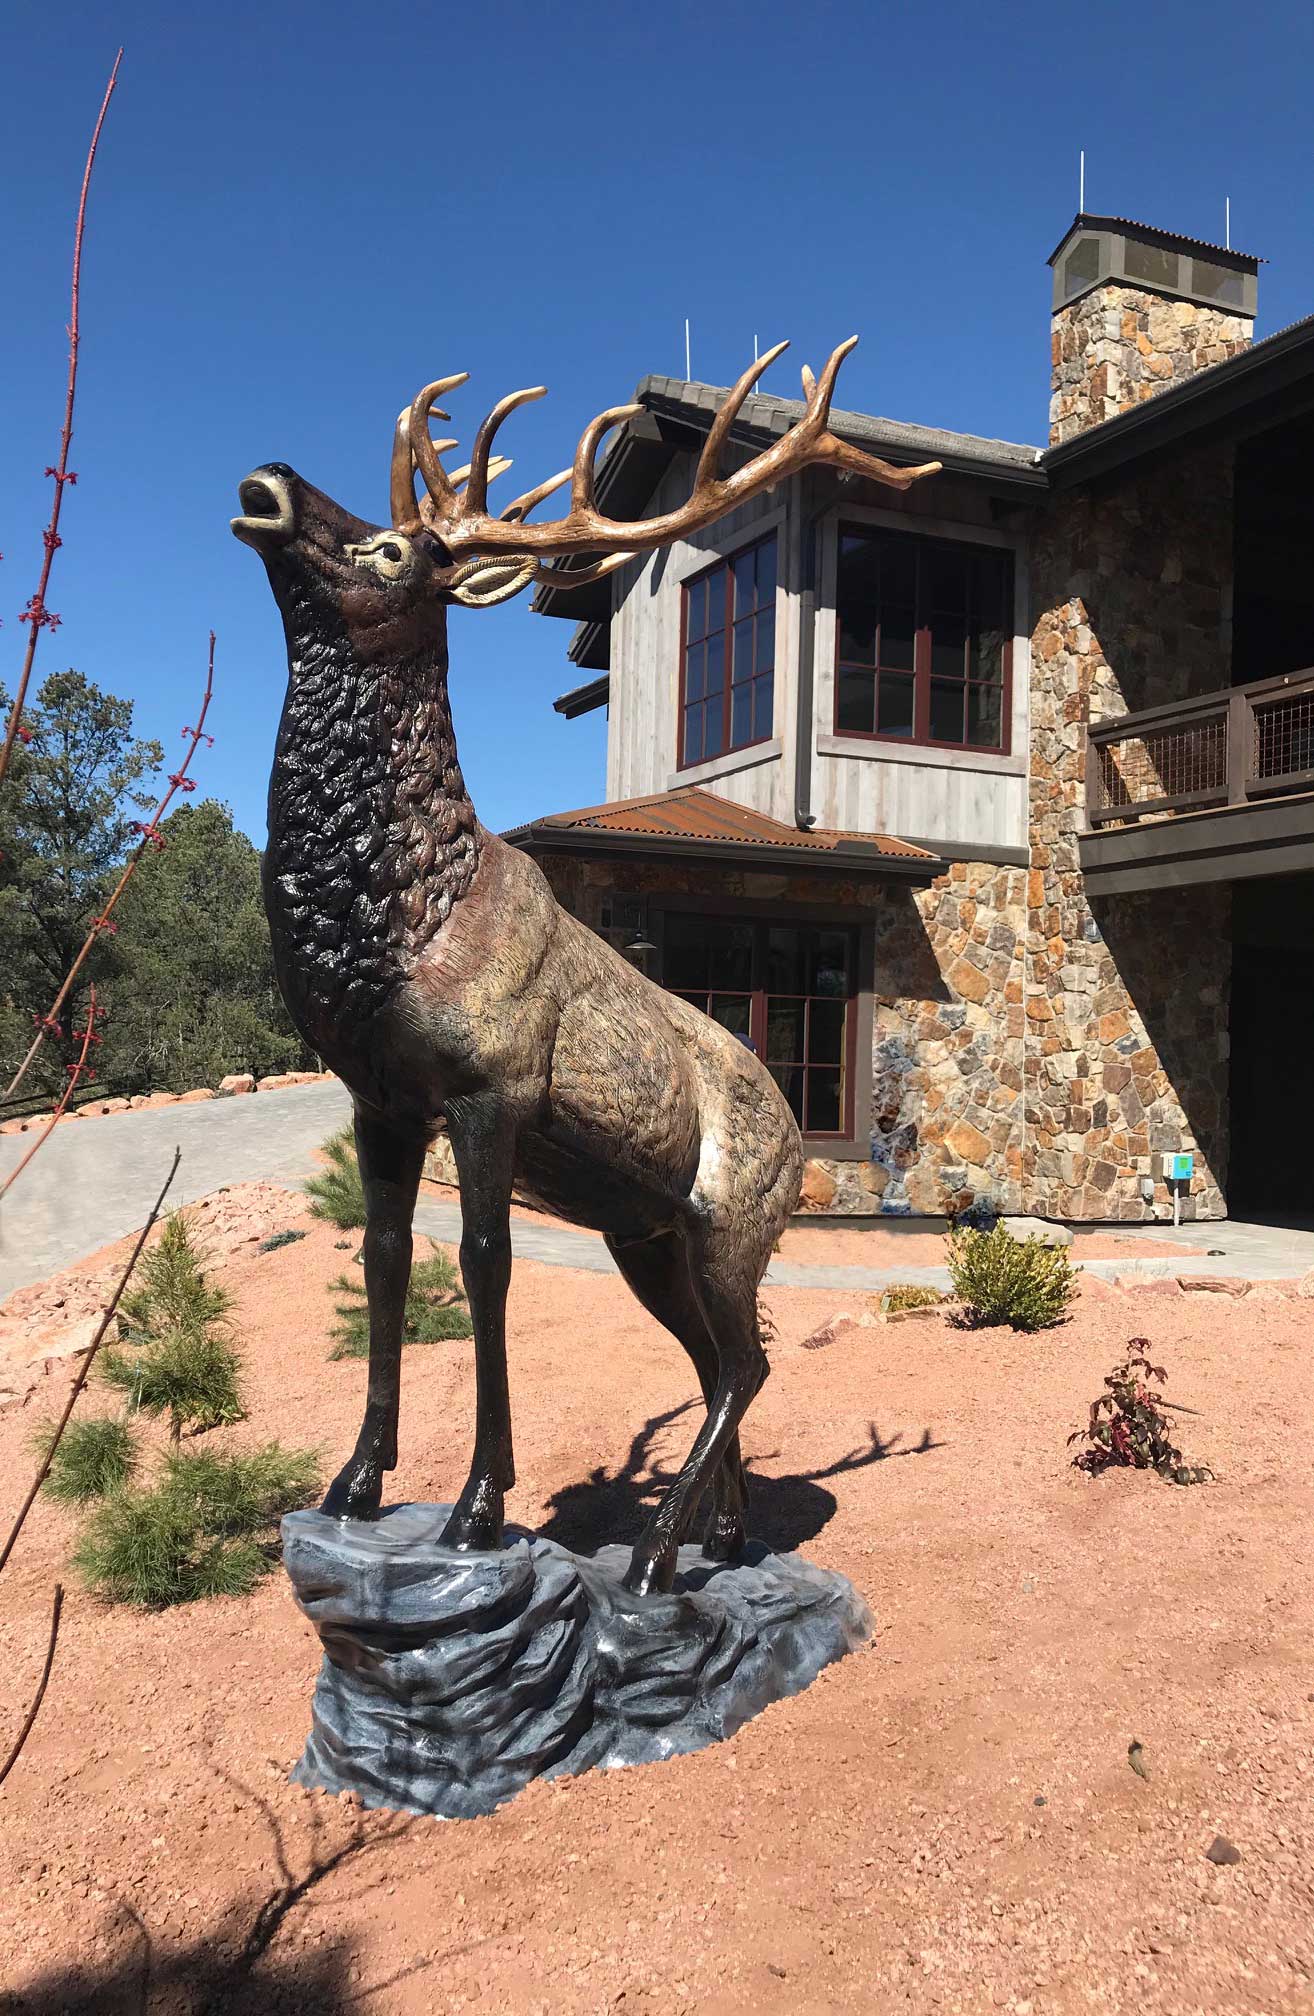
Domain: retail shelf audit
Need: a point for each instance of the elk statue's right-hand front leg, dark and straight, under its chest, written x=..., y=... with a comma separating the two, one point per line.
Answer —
x=485, y=1150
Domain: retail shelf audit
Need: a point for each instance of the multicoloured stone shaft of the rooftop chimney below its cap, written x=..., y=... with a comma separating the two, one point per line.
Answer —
x=1120, y=346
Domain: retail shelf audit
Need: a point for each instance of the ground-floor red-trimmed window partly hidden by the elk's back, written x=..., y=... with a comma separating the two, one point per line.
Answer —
x=787, y=991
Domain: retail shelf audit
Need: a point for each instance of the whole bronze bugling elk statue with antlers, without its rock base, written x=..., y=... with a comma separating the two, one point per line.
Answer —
x=432, y=969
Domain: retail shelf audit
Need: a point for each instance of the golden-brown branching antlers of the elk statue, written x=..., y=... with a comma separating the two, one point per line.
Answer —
x=465, y=525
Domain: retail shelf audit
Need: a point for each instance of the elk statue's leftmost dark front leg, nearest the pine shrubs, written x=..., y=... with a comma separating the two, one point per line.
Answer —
x=390, y=1176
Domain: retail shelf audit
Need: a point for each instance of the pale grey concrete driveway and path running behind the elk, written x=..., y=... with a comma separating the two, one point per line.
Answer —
x=96, y=1180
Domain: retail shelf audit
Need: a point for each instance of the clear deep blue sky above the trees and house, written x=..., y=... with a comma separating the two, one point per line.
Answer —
x=307, y=211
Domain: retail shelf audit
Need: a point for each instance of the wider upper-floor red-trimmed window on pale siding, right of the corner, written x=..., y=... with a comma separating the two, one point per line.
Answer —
x=924, y=640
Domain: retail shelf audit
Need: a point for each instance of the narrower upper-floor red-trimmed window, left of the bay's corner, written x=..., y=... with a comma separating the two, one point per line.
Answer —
x=729, y=672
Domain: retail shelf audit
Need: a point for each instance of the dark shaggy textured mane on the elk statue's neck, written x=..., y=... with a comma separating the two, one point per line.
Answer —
x=372, y=830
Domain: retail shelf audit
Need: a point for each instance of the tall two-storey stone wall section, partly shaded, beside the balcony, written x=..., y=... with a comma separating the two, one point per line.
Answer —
x=1126, y=1001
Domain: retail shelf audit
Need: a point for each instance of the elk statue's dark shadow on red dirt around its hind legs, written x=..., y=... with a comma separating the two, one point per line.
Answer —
x=783, y=1511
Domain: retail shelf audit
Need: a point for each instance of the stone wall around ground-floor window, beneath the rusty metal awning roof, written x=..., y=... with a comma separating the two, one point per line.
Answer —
x=946, y=1098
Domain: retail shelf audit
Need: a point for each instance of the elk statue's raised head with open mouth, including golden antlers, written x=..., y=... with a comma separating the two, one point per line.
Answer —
x=446, y=547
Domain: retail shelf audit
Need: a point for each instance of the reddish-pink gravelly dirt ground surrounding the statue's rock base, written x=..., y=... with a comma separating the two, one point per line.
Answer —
x=946, y=1821
